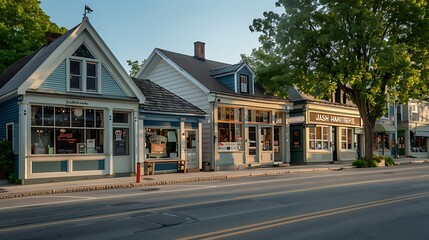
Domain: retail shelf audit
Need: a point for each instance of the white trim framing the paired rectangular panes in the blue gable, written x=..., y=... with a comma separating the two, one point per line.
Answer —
x=83, y=74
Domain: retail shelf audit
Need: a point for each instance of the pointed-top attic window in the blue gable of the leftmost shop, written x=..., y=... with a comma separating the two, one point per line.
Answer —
x=83, y=71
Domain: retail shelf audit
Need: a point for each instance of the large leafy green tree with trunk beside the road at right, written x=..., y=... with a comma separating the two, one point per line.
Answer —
x=371, y=49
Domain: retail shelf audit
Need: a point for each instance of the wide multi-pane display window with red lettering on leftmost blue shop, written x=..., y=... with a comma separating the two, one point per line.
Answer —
x=65, y=130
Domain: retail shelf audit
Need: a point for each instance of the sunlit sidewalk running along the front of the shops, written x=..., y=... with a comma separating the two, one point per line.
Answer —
x=13, y=191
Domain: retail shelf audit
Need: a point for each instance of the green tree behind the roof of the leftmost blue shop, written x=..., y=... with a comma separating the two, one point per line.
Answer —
x=22, y=29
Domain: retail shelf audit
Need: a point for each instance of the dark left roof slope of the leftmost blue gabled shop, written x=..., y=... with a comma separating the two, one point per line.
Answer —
x=19, y=71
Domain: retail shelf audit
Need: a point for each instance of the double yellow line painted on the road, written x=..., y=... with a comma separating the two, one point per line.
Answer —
x=299, y=218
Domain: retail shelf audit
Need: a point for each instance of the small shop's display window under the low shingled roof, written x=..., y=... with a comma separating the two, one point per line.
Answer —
x=161, y=143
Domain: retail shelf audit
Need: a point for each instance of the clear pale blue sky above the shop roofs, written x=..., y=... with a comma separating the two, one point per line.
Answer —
x=133, y=28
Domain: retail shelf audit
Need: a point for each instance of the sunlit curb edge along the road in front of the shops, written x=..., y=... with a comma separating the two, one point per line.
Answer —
x=158, y=182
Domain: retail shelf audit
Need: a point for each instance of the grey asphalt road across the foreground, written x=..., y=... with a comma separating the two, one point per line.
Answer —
x=379, y=203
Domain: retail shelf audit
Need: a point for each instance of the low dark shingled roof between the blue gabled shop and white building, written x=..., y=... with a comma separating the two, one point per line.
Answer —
x=159, y=99
